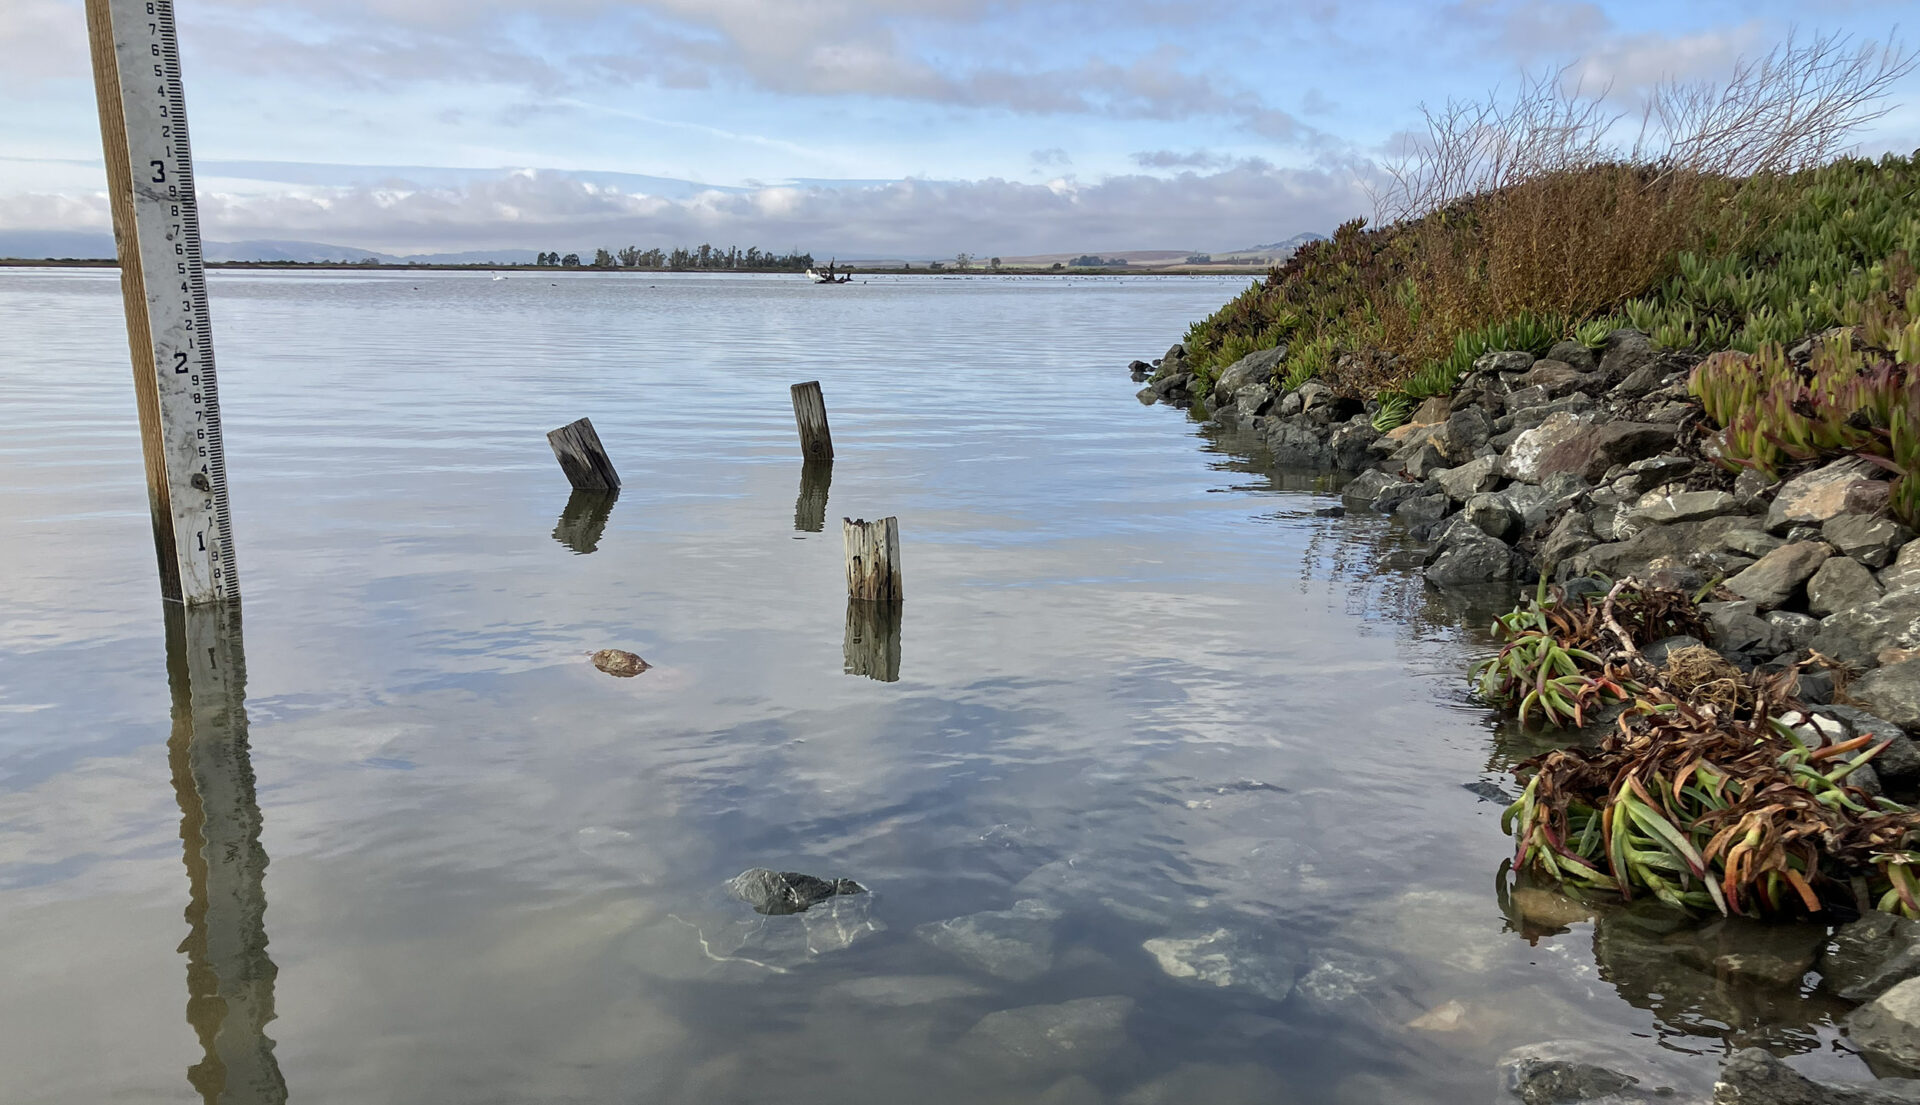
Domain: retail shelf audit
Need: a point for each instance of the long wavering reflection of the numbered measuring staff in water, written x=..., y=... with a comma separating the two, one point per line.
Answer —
x=229, y=977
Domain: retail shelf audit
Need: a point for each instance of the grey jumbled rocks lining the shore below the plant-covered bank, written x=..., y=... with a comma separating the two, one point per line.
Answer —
x=1596, y=463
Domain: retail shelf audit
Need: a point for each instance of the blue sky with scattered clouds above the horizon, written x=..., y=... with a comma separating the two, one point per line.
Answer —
x=844, y=128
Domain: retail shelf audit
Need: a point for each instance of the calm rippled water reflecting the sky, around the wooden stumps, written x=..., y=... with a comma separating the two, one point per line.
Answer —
x=1141, y=707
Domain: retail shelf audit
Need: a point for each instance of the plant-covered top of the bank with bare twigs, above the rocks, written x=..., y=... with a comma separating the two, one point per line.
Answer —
x=1725, y=225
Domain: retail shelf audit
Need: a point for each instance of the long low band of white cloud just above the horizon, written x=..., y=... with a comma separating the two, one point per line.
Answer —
x=905, y=218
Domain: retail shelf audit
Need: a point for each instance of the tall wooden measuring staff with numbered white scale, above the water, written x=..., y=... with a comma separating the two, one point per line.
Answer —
x=156, y=223
